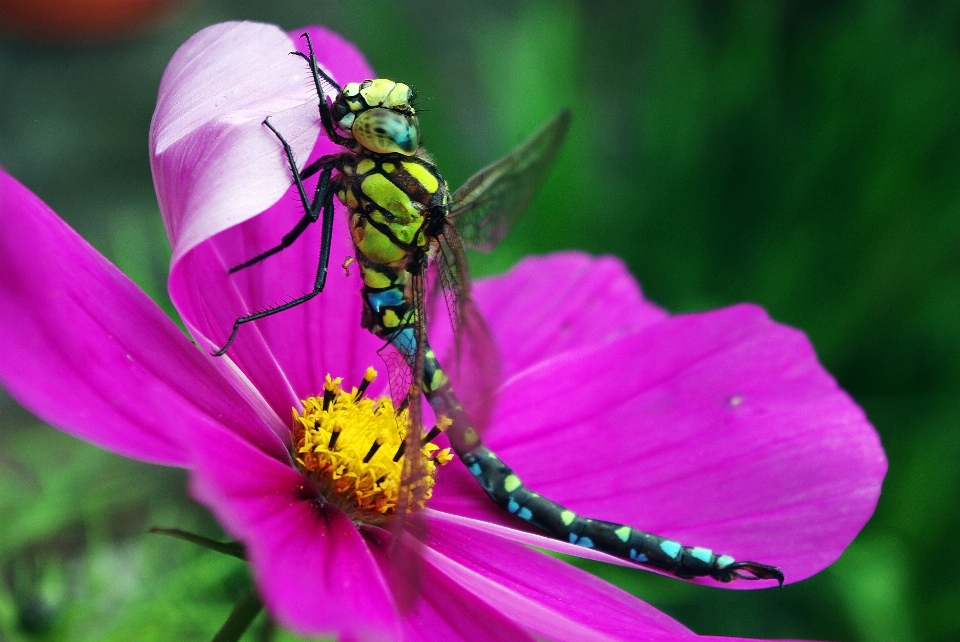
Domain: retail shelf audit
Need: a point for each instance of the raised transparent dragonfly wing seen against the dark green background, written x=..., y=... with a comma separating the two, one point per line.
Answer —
x=491, y=200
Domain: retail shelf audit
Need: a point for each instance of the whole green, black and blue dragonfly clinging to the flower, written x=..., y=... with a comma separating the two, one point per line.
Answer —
x=404, y=221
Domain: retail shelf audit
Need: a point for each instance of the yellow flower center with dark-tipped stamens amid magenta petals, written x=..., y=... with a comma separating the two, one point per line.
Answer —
x=351, y=447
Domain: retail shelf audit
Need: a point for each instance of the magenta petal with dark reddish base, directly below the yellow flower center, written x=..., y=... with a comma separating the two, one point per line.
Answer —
x=314, y=570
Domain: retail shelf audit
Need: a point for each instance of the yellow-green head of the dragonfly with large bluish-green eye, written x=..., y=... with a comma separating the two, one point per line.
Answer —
x=378, y=115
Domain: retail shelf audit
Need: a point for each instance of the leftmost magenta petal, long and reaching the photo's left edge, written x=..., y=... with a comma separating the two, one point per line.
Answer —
x=87, y=351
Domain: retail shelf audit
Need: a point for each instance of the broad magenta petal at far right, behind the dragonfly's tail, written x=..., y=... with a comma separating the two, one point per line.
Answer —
x=718, y=429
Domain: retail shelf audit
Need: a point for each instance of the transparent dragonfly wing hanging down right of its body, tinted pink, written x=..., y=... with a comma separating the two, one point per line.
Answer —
x=471, y=363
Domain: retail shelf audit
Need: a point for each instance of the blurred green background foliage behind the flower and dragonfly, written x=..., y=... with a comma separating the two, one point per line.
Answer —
x=801, y=155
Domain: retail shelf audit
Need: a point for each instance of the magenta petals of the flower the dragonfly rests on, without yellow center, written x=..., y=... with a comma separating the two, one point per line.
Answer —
x=718, y=429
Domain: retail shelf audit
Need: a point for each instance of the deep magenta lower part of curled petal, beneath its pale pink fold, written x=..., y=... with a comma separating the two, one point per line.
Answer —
x=286, y=356
